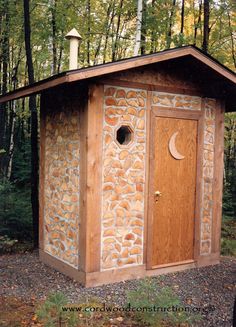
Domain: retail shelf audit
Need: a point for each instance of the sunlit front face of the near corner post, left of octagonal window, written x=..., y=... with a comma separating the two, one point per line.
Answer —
x=94, y=177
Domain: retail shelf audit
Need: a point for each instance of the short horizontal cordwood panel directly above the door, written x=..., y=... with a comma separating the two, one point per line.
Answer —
x=177, y=101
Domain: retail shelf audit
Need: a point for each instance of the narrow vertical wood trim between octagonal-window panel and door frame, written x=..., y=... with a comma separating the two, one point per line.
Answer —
x=147, y=161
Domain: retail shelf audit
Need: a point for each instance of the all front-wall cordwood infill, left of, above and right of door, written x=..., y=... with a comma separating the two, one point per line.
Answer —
x=124, y=172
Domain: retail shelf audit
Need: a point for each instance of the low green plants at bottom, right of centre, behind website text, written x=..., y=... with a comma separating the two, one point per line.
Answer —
x=147, y=294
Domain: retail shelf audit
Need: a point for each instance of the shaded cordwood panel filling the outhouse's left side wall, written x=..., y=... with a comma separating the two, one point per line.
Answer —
x=61, y=202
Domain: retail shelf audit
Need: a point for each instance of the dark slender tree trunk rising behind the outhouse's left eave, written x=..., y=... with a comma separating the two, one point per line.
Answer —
x=34, y=125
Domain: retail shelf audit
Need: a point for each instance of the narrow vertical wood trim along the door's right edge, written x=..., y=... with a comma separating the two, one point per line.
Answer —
x=199, y=183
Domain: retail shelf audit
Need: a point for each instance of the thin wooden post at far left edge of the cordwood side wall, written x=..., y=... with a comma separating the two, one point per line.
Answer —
x=42, y=170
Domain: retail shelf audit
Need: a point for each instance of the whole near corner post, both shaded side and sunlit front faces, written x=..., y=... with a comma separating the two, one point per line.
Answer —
x=91, y=175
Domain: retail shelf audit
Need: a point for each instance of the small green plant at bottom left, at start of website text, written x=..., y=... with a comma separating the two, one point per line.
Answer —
x=51, y=314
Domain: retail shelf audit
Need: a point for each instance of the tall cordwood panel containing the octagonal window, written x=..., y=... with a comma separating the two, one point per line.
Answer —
x=123, y=178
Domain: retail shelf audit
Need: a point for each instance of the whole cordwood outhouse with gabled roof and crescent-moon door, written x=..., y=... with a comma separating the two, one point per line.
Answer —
x=131, y=165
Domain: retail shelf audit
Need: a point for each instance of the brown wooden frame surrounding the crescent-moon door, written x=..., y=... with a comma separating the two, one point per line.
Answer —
x=169, y=112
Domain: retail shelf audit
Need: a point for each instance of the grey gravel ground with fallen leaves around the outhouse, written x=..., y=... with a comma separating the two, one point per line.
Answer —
x=26, y=282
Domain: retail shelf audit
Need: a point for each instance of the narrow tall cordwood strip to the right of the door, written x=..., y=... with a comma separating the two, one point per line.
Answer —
x=208, y=175
